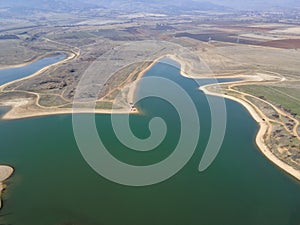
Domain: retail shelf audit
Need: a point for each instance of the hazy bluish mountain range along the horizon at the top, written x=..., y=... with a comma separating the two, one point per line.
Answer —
x=151, y=6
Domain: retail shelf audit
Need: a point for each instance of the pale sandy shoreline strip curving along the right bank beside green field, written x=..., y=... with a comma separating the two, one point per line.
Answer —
x=263, y=128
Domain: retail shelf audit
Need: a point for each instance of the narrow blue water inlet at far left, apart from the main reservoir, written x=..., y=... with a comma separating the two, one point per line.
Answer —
x=11, y=74
